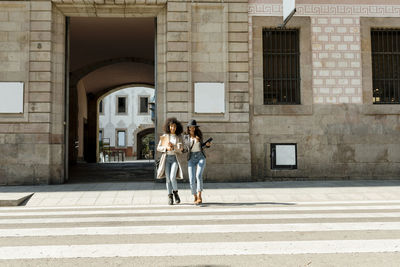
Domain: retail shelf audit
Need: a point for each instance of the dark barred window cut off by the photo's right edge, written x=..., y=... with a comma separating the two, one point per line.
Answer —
x=385, y=46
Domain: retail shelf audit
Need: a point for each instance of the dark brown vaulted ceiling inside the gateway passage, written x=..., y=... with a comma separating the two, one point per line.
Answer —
x=94, y=40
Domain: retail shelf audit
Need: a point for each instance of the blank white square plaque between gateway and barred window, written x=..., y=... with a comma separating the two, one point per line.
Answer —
x=209, y=98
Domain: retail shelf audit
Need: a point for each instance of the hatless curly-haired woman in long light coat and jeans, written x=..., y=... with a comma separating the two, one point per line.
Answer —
x=170, y=145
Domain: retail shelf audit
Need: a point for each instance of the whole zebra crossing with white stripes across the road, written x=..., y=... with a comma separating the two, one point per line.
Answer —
x=24, y=226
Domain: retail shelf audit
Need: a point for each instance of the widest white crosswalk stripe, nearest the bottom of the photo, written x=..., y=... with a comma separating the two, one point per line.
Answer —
x=203, y=249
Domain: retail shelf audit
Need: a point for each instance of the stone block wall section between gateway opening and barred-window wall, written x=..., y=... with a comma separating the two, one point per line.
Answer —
x=207, y=42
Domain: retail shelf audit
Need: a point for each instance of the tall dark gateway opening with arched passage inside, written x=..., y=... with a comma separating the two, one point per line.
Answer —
x=103, y=60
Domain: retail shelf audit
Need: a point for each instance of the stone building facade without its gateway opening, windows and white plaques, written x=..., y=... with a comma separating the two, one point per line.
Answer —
x=338, y=130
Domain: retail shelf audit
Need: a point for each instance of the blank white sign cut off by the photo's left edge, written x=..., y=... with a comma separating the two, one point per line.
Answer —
x=11, y=97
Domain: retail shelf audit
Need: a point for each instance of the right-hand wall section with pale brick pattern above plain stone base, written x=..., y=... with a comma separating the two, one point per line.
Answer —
x=345, y=136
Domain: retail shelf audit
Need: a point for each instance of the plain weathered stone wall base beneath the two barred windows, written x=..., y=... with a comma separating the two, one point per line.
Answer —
x=336, y=142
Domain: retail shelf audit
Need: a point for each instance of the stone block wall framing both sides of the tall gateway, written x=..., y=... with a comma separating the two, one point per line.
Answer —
x=196, y=42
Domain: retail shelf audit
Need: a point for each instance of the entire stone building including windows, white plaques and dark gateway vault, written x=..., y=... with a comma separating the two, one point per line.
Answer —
x=318, y=99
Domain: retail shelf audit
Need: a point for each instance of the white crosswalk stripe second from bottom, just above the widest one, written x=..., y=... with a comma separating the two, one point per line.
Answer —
x=197, y=229
